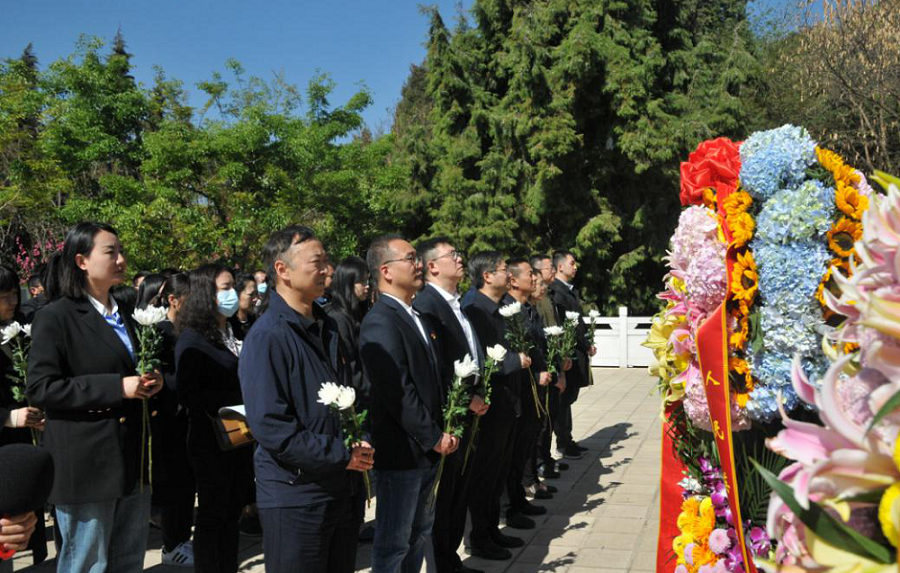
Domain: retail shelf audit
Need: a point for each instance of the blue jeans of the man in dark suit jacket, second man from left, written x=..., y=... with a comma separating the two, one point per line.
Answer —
x=405, y=516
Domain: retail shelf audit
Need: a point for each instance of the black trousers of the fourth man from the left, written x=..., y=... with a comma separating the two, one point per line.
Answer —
x=490, y=467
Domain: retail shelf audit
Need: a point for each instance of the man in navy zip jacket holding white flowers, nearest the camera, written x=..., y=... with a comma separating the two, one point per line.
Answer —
x=304, y=488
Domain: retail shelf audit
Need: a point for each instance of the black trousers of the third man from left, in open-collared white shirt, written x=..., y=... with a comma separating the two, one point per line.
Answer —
x=452, y=503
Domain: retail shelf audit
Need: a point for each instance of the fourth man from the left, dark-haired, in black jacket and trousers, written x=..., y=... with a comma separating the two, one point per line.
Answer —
x=493, y=454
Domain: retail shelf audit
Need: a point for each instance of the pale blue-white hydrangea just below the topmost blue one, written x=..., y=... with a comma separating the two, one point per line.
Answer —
x=798, y=214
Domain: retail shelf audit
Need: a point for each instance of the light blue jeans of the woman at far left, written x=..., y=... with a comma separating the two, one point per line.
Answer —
x=104, y=536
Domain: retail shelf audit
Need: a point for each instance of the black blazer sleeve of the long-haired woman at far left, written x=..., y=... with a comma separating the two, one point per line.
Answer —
x=49, y=387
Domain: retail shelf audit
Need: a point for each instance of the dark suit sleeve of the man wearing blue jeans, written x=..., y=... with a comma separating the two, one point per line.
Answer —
x=387, y=366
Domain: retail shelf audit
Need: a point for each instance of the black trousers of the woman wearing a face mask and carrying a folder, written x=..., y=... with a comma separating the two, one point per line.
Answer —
x=222, y=481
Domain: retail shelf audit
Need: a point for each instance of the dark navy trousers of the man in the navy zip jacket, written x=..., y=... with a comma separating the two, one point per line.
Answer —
x=318, y=538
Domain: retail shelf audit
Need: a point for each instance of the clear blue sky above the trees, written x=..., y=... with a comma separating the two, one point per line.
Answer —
x=370, y=41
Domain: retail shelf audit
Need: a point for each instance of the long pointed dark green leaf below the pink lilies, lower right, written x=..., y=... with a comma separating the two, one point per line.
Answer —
x=825, y=526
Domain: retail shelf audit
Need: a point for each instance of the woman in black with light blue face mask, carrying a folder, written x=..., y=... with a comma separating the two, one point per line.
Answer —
x=206, y=360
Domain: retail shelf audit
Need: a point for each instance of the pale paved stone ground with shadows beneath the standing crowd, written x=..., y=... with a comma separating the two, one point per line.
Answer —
x=606, y=515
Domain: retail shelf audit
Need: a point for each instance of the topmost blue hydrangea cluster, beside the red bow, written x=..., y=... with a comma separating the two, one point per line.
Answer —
x=775, y=159
